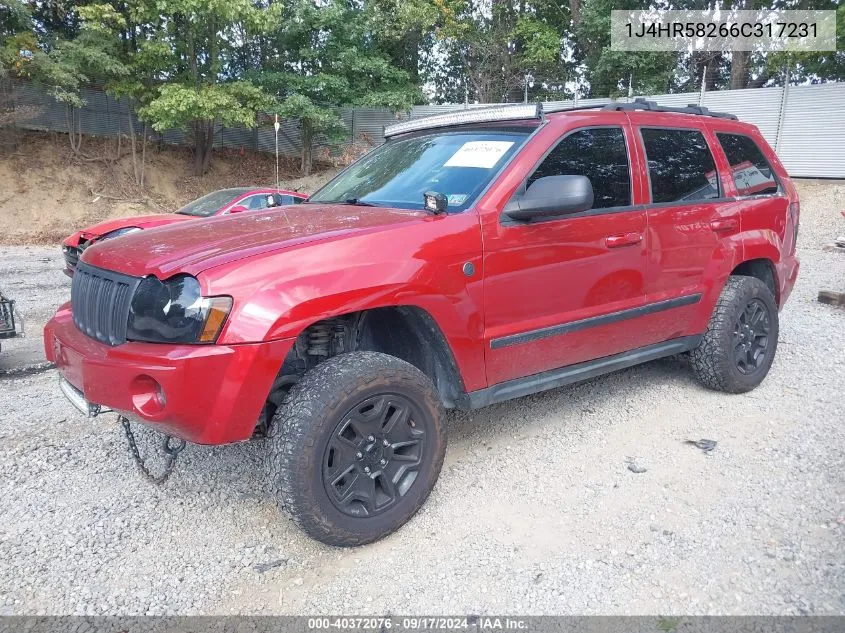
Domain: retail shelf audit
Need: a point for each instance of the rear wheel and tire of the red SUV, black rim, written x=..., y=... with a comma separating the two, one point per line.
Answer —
x=739, y=345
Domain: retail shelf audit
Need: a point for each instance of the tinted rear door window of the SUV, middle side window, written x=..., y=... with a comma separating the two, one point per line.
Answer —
x=680, y=165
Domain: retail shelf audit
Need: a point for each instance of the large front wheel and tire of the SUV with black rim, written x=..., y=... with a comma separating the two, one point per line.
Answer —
x=357, y=447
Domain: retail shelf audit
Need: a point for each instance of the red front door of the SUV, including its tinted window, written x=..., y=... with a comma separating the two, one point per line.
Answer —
x=565, y=289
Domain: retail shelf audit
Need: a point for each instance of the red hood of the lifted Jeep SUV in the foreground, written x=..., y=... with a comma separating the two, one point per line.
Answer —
x=191, y=247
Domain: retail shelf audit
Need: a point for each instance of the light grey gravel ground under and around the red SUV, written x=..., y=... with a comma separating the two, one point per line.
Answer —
x=536, y=511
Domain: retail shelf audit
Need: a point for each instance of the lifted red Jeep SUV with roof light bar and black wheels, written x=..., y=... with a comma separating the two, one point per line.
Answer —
x=473, y=258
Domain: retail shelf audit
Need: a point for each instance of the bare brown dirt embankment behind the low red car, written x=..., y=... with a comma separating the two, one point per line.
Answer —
x=47, y=193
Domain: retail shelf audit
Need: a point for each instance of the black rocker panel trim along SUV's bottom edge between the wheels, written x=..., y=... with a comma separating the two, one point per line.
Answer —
x=575, y=373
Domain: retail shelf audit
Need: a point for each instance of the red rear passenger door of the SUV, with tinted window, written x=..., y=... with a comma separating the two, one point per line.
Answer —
x=692, y=225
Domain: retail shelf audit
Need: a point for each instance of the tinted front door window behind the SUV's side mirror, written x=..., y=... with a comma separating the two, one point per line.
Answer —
x=601, y=155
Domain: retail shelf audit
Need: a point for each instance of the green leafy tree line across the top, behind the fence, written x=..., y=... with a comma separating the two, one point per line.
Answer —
x=193, y=64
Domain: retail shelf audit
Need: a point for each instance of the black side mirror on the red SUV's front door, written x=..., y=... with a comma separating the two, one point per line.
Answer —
x=551, y=196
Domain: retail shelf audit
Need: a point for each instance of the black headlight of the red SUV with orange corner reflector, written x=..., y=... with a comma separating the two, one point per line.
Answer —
x=174, y=311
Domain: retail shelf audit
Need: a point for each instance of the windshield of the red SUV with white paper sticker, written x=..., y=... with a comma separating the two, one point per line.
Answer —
x=456, y=164
